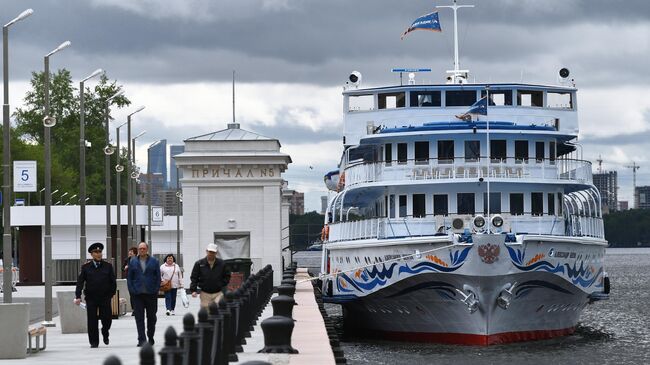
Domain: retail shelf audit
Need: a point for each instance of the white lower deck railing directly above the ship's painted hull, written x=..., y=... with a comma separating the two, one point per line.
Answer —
x=382, y=228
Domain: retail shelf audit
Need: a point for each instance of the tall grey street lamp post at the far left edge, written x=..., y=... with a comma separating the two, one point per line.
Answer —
x=7, y=257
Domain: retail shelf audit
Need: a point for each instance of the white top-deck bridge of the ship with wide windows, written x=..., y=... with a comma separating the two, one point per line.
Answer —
x=366, y=111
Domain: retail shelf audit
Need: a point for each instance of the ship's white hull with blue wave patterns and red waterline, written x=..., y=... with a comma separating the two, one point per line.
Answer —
x=485, y=292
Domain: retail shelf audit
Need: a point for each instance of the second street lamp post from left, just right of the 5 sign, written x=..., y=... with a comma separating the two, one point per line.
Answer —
x=48, y=123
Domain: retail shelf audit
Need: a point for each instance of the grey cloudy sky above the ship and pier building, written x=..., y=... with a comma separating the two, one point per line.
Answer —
x=293, y=56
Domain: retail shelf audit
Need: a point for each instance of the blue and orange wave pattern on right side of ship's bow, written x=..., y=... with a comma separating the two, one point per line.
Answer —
x=579, y=276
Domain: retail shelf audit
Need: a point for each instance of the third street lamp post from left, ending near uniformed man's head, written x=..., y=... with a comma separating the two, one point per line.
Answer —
x=82, y=169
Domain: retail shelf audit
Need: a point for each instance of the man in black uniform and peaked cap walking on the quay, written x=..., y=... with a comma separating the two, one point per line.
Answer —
x=98, y=277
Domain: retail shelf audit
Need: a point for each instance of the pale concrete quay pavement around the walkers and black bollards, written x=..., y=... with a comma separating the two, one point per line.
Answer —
x=309, y=334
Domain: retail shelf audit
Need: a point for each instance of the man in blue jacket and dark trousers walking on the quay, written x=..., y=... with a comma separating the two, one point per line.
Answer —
x=143, y=280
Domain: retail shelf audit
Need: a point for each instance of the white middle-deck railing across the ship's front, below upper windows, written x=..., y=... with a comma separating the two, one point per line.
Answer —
x=461, y=168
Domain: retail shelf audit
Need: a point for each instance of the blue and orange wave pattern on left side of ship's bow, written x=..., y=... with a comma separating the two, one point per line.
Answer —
x=374, y=277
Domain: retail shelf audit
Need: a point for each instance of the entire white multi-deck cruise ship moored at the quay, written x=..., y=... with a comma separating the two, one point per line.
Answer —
x=462, y=212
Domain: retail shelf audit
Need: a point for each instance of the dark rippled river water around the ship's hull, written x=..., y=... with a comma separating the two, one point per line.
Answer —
x=616, y=331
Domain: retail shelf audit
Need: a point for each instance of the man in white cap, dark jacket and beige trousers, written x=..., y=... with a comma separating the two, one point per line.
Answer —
x=210, y=275
